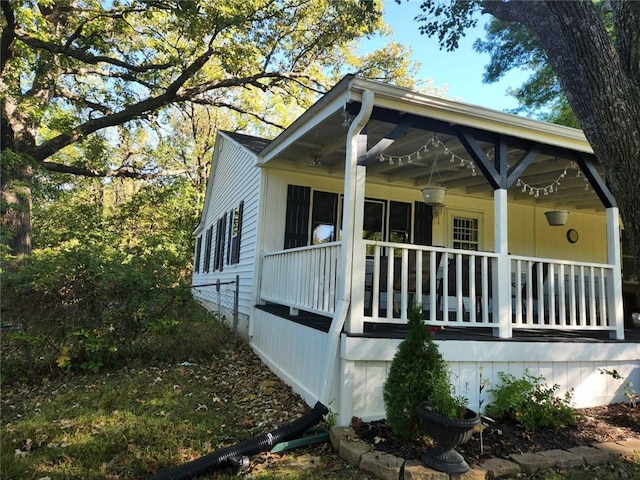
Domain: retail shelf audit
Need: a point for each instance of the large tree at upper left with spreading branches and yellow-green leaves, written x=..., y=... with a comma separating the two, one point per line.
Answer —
x=79, y=76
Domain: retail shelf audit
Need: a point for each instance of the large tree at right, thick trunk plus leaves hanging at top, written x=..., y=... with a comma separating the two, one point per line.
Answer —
x=599, y=73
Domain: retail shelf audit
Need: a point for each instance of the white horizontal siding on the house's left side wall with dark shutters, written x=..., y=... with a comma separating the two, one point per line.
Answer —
x=236, y=178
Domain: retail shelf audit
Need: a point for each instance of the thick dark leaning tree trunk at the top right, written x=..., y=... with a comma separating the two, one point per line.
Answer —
x=601, y=89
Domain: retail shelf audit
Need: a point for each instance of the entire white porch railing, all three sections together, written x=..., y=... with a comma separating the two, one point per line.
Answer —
x=454, y=287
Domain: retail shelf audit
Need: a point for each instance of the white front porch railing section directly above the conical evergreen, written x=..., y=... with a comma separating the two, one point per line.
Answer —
x=453, y=286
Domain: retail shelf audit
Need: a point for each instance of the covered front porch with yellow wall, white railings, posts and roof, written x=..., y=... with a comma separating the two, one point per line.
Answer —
x=472, y=260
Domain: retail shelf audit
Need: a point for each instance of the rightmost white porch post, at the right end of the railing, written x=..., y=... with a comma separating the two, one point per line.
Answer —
x=614, y=285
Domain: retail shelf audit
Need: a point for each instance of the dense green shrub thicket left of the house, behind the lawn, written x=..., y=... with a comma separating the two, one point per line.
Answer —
x=89, y=307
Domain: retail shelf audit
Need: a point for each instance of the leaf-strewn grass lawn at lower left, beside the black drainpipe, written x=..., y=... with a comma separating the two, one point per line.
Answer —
x=136, y=419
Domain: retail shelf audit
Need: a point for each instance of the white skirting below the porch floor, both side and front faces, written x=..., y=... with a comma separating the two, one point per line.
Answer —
x=296, y=353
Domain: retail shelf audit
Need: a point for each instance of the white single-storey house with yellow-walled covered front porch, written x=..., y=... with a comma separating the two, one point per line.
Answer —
x=332, y=236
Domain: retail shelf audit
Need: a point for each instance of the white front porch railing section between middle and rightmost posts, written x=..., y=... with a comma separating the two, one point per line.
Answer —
x=561, y=294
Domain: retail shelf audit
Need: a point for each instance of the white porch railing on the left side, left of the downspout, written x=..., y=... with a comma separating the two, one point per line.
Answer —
x=302, y=278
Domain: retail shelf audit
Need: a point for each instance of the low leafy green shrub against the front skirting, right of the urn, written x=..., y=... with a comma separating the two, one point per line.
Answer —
x=531, y=403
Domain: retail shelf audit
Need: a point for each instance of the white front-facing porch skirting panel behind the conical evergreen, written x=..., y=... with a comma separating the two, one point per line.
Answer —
x=365, y=363
